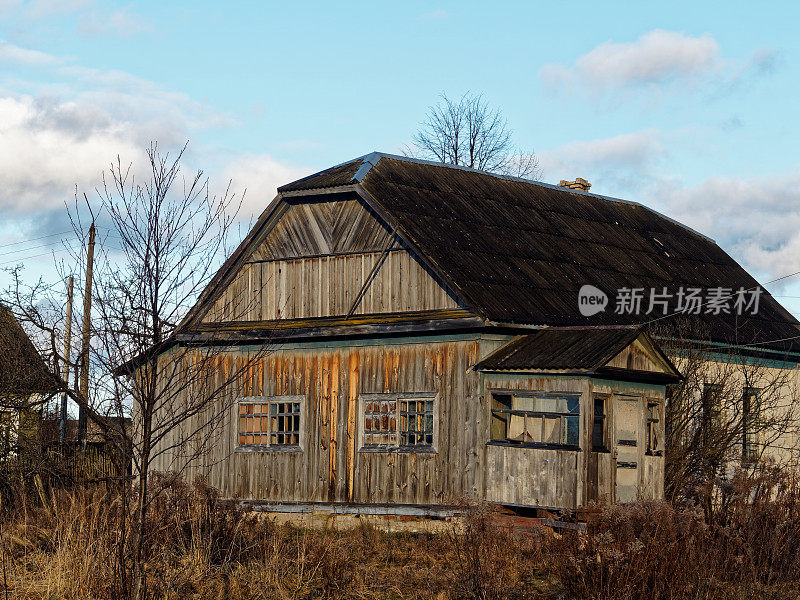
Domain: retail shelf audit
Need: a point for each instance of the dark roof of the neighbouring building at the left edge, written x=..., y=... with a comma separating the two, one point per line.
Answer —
x=22, y=370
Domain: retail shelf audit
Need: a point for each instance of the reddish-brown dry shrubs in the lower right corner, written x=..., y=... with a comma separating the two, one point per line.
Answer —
x=654, y=550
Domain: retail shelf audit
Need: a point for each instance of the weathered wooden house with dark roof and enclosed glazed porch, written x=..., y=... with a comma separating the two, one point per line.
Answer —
x=427, y=344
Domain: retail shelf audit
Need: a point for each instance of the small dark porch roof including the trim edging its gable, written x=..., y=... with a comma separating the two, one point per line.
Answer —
x=554, y=349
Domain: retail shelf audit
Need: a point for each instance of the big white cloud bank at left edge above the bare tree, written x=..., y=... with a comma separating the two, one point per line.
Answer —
x=66, y=132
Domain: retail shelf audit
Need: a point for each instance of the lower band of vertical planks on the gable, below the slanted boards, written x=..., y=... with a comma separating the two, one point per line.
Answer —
x=327, y=286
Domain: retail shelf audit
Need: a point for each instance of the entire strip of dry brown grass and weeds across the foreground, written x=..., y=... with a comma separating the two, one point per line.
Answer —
x=67, y=545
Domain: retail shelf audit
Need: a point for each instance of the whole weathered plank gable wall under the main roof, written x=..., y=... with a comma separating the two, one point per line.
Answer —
x=314, y=261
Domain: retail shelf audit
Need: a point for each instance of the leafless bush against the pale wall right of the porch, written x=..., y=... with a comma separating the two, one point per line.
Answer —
x=733, y=410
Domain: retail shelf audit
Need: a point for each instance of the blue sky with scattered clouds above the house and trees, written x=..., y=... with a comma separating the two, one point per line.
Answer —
x=689, y=107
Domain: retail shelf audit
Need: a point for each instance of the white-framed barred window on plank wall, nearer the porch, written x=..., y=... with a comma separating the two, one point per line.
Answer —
x=395, y=421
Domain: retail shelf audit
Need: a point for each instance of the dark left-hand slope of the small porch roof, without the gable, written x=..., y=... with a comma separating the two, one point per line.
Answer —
x=559, y=349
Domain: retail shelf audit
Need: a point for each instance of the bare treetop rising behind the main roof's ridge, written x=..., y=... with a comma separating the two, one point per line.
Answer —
x=469, y=133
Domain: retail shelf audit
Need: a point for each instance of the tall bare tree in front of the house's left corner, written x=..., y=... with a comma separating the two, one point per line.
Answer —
x=160, y=243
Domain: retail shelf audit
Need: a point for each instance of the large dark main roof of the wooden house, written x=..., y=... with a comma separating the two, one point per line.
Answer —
x=518, y=251
